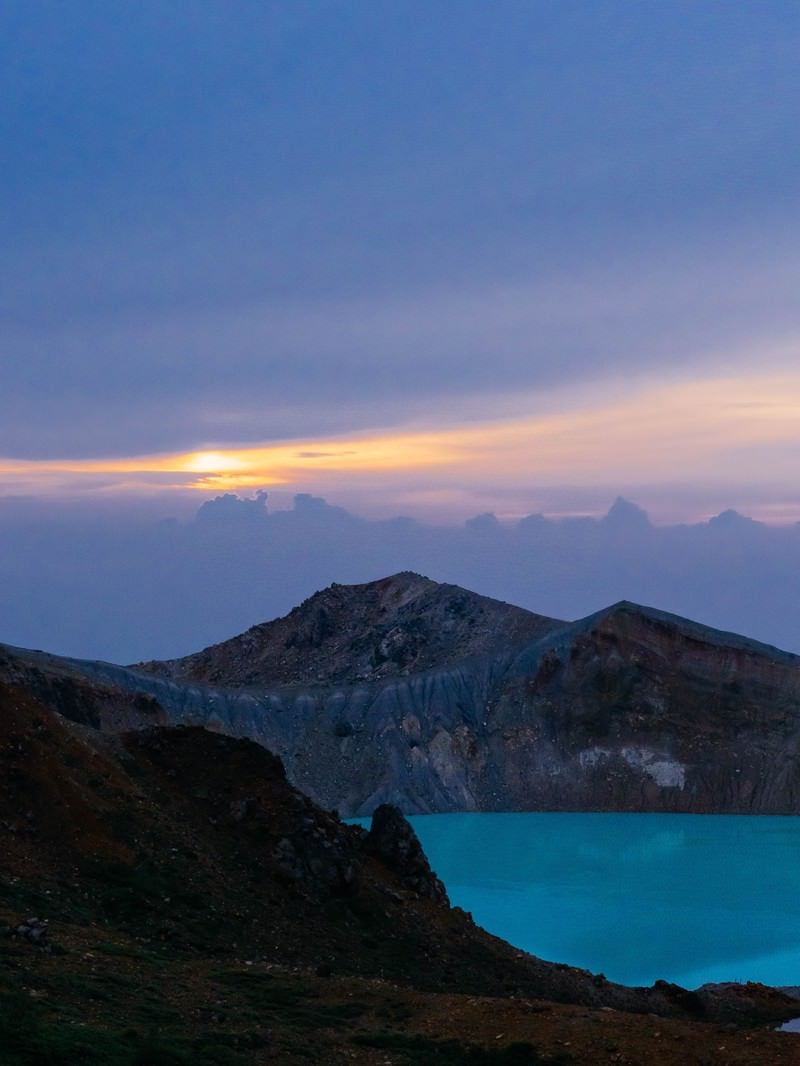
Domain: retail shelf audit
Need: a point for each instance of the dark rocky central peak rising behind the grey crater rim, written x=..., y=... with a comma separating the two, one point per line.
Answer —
x=399, y=626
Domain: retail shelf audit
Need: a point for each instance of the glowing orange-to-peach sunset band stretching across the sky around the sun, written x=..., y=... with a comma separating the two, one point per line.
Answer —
x=717, y=429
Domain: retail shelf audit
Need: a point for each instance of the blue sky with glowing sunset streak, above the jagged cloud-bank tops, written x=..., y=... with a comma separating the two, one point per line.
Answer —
x=424, y=260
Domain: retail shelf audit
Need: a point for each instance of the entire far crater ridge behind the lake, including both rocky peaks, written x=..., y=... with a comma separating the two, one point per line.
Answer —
x=631, y=709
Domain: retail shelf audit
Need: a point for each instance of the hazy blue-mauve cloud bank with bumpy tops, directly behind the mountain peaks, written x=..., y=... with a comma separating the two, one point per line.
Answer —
x=131, y=588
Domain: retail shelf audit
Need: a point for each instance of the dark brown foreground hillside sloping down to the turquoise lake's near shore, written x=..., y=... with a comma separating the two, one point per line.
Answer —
x=200, y=910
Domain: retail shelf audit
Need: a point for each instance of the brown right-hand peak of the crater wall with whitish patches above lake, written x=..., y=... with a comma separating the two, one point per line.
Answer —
x=637, y=710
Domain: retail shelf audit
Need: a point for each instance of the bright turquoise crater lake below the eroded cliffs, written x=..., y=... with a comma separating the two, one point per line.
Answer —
x=686, y=898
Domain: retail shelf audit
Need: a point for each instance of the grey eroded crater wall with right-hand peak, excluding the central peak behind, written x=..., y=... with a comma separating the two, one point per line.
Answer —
x=631, y=709
